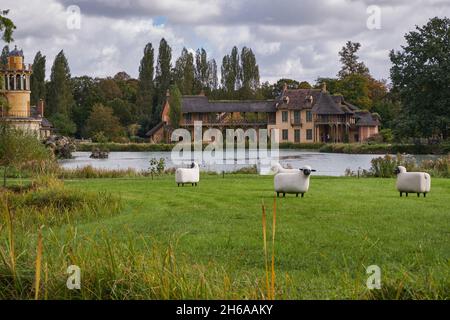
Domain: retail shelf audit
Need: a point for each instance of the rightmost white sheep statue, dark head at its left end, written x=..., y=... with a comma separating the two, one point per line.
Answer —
x=412, y=182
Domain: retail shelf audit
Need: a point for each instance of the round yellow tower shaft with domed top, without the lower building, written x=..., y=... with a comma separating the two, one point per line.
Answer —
x=16, y=86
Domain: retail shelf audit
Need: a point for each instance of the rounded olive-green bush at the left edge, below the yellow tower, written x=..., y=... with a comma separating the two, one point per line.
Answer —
x=17, y=148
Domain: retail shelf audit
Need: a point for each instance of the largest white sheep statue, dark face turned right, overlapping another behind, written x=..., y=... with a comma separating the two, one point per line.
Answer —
x=296, y=183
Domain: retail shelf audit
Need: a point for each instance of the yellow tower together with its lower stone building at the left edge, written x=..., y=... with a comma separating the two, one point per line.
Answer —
x=15, y=91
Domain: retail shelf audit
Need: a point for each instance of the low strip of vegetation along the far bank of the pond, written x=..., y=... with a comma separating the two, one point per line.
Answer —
x=348, y=148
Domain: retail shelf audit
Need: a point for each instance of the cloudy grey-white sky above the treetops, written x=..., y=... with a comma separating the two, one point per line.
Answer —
x=297, y=39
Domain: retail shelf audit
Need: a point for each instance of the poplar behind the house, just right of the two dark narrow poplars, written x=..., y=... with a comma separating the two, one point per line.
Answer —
x=184, y=72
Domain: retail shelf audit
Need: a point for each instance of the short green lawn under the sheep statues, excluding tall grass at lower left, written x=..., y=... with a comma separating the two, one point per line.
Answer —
x=324, y=242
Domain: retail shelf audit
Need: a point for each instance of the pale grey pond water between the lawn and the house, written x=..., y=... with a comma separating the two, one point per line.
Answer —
x=327, y=164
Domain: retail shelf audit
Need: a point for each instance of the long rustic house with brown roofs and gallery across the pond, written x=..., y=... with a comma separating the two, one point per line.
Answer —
x=300, y=115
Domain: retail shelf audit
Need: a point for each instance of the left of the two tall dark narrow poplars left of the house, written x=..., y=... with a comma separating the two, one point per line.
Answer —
x=146, y=88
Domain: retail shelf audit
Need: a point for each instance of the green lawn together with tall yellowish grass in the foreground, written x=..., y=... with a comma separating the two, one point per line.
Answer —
x=206, y=241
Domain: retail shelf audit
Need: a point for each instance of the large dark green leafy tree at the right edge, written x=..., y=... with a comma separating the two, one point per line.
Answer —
x=420, y=75
